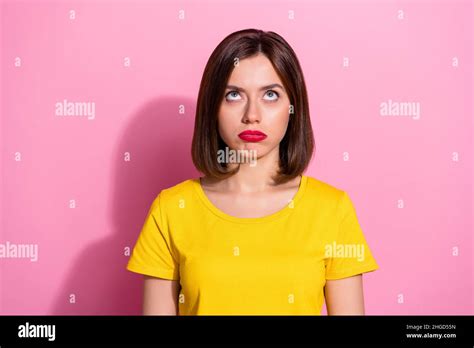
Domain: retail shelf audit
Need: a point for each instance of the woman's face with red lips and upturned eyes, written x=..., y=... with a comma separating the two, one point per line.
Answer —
x=255, y=99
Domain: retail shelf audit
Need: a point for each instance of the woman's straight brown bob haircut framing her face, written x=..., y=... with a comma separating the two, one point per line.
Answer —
x=296, y=147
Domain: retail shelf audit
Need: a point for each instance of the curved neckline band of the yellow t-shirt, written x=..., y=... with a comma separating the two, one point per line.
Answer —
x=196, y=182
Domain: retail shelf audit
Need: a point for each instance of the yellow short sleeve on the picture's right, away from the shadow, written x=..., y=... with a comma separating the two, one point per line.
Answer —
x=348, y=254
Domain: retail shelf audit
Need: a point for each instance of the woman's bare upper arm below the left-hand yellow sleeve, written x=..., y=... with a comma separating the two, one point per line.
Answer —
x=160, y=296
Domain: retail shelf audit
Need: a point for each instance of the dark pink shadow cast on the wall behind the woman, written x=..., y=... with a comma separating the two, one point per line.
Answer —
x=159, y=139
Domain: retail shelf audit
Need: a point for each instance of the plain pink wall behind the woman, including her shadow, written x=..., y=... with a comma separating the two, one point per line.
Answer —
x=81, y=250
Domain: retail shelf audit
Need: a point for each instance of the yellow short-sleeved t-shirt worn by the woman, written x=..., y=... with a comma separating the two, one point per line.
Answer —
x=273, y=265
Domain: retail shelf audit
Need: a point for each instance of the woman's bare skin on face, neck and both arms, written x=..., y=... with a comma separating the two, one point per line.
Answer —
x=251, y=192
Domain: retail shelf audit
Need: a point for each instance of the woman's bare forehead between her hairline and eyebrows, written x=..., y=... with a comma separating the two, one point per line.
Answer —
x=254, y=71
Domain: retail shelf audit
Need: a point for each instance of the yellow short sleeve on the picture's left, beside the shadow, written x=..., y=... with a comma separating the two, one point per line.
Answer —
x=153, y=252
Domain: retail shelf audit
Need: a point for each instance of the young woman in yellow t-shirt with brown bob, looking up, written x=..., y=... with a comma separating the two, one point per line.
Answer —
x=254, y=235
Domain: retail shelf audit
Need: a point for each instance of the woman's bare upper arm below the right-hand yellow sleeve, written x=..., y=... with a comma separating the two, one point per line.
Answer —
x=345, y=296
